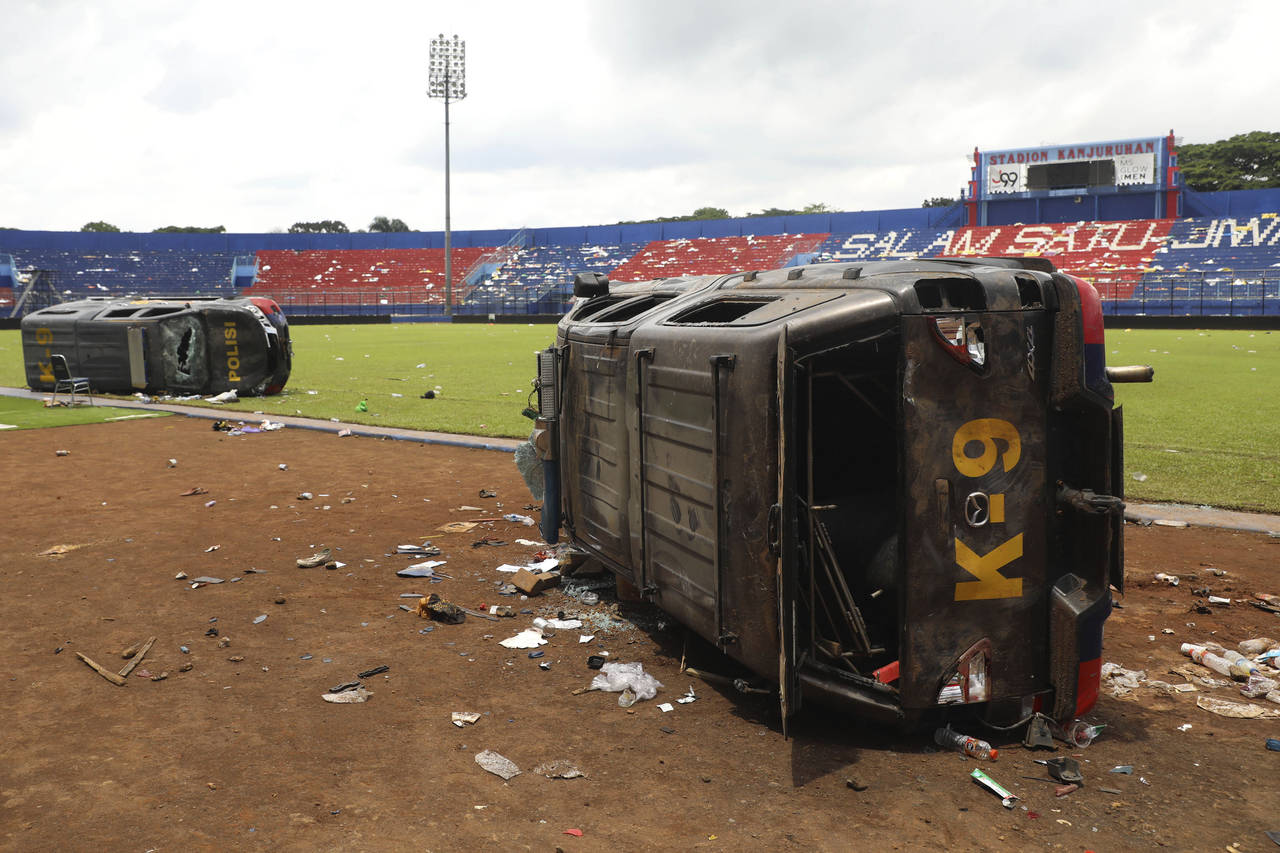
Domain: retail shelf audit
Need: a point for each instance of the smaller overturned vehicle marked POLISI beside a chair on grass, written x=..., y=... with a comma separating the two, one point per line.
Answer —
x=182, y=346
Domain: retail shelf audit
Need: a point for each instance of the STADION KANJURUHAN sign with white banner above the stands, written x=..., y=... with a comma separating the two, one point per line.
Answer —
x=1136, y=163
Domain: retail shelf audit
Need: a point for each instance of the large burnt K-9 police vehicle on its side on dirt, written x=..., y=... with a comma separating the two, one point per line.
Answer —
x=895, y=487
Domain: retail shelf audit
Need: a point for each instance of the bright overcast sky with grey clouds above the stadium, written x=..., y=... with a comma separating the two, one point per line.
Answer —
x=255, y=116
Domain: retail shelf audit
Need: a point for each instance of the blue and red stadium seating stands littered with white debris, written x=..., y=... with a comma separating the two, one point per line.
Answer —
x=1226, y=263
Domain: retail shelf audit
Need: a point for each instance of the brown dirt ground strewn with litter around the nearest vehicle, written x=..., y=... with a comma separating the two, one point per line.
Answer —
x=245, y=755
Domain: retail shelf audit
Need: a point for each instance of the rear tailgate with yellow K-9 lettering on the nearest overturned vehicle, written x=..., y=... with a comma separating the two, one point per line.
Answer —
x=975, y=400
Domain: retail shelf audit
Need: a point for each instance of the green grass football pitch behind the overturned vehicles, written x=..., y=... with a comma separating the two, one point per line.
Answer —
x=1208, y=431
